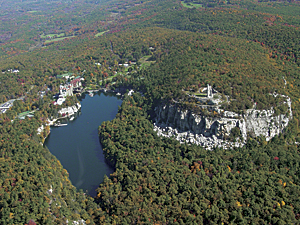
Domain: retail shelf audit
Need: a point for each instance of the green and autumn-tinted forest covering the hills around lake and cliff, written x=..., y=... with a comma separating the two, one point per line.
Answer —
x=247, y=50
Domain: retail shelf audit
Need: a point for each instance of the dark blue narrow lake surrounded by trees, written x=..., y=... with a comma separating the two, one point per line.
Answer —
x=77, y=145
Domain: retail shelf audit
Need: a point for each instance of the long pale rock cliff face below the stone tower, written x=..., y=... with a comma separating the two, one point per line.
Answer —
x=211, y=131
